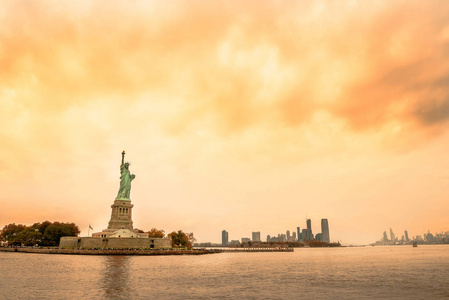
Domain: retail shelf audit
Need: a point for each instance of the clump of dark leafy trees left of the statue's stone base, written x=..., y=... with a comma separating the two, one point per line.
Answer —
x=45, y=234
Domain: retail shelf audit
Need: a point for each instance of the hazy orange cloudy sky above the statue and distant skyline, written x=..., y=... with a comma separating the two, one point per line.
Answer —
x=237, y=116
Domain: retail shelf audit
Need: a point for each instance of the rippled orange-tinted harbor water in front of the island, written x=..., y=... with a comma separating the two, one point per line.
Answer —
x=388, y=272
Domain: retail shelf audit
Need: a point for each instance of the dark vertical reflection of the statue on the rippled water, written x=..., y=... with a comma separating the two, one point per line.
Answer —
x=115, y=276
